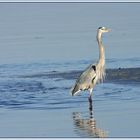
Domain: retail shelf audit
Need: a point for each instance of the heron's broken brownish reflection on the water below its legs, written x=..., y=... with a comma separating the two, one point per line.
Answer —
x=86, y=127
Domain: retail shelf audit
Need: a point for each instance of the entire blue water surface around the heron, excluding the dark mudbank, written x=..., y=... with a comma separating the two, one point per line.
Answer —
x=40, y=40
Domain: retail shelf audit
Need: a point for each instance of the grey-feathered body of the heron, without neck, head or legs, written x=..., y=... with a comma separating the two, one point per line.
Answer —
x=89, y=78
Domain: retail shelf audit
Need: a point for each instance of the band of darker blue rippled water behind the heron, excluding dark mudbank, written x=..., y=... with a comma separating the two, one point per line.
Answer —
x=35, y=86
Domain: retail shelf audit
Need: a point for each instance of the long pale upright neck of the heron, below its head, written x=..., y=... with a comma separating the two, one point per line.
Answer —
x=101, y=48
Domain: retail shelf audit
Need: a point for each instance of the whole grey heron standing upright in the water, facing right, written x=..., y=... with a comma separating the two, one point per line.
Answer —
x=93, y=74
